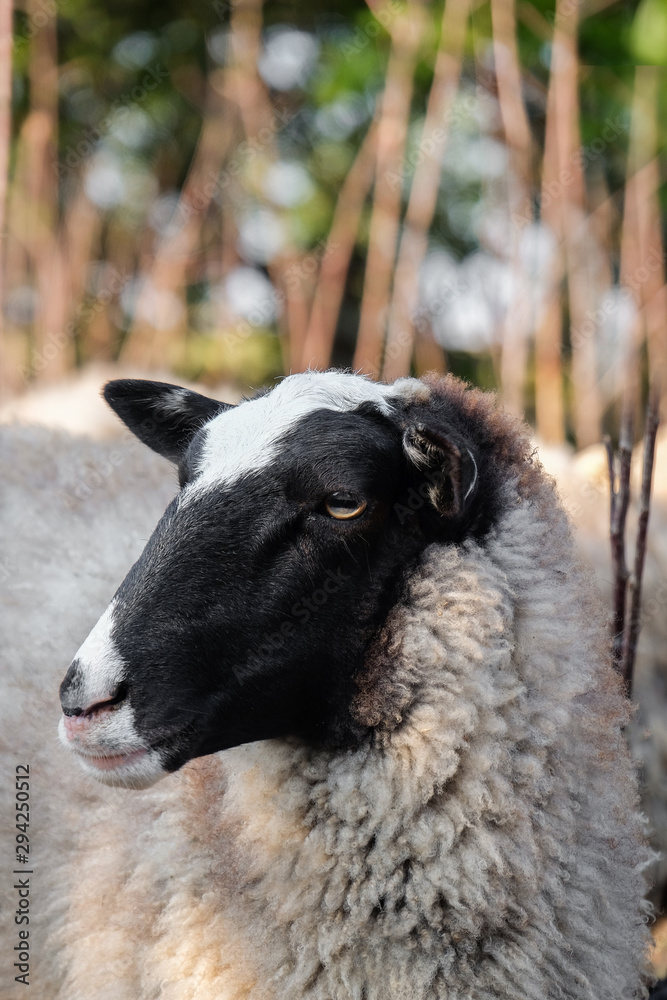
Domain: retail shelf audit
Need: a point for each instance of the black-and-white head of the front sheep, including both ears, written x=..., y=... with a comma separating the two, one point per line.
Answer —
x=252, y=609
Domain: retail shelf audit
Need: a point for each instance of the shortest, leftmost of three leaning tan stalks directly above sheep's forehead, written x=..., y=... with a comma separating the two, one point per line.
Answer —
x=328, y=296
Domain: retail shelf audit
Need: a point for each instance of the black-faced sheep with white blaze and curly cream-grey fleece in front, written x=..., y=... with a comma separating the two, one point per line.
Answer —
x=360, y=687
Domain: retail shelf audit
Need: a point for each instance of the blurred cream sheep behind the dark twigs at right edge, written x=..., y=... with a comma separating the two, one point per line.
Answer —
x=583, y=483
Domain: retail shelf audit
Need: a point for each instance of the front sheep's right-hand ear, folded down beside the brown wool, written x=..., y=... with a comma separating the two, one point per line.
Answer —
x=448, y=467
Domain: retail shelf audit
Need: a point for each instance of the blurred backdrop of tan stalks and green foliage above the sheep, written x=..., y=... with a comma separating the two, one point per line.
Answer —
x=226, y=191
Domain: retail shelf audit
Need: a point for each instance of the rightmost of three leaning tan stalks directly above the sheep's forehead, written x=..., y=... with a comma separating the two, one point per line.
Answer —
x=424, y=189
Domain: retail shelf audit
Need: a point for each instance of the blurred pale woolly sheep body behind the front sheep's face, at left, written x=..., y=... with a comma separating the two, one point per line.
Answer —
x=75, y=515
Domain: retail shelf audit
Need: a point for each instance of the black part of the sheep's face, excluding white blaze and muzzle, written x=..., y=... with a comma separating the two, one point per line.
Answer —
x=253, y=606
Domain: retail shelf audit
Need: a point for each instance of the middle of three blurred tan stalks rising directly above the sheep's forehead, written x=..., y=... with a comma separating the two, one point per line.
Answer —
x=407, y=29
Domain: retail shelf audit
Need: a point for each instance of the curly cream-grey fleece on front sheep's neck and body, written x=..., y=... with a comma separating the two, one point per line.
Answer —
x=484, y=843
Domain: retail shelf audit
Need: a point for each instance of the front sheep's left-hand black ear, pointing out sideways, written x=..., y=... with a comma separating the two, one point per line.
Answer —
x=163, y=416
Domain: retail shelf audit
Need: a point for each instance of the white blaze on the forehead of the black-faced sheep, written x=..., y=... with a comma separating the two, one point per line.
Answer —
x=247, y=437
